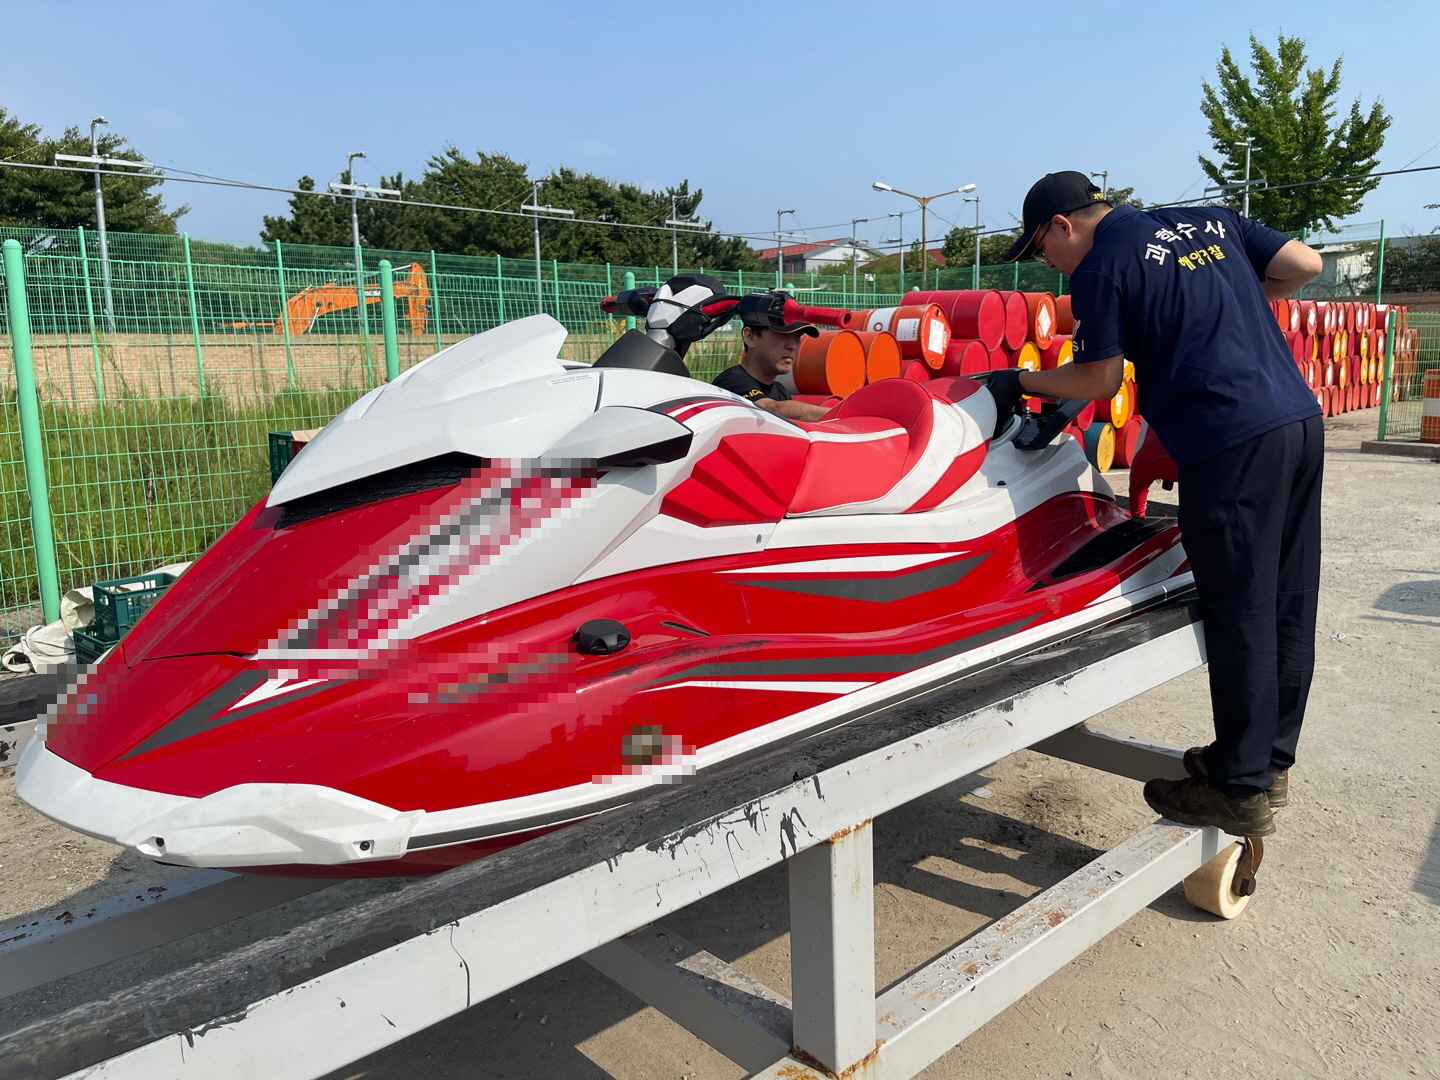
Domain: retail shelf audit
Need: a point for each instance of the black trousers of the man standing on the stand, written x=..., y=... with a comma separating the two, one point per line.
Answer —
x=1251, y=519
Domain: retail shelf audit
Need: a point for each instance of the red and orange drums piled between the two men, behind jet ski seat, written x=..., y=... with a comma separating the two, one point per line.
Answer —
x=964, y=332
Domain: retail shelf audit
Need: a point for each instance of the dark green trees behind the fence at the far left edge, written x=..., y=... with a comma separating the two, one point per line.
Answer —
x=61, y=199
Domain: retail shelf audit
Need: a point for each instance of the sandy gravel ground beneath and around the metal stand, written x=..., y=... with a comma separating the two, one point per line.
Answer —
x=1334, y=971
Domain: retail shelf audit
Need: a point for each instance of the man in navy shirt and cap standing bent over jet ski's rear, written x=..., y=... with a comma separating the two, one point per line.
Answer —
x=1183, y=294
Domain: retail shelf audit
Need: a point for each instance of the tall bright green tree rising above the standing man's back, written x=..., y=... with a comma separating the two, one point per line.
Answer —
x=1290, y=113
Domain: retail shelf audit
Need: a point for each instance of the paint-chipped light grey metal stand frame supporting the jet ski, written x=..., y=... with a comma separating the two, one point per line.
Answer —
x=597, y=891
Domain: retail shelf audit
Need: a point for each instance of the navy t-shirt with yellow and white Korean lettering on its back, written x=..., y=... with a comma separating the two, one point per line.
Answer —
x=1179, y=292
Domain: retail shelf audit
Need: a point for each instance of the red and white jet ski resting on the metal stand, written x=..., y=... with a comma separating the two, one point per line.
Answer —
x=506, y=593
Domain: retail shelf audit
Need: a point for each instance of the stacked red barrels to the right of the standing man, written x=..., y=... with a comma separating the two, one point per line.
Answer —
x=1340, y=348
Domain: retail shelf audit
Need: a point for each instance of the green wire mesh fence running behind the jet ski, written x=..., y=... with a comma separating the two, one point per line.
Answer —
x=155, y=395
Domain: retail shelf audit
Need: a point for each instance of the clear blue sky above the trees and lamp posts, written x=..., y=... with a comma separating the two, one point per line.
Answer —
x=761, y=106
